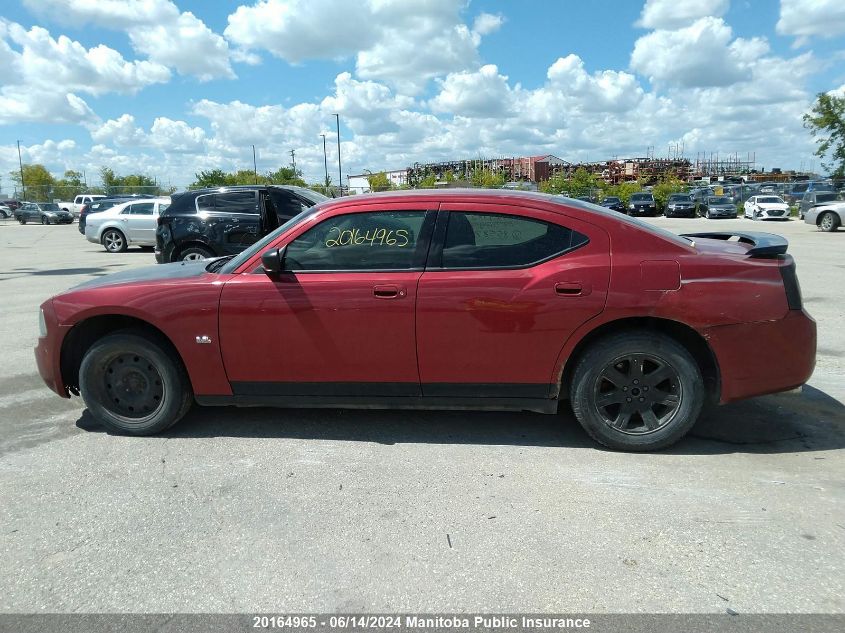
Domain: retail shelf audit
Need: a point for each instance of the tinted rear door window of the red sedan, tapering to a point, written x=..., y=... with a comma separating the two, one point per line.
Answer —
x=482, y=240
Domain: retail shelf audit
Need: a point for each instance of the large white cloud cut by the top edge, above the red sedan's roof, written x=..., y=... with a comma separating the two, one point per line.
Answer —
x=404, y=46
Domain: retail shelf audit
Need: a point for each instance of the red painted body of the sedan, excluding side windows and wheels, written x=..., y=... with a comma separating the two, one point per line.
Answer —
x=459, y=333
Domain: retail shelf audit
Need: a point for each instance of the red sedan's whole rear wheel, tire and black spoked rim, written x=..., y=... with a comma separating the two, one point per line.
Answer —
x=670, y=371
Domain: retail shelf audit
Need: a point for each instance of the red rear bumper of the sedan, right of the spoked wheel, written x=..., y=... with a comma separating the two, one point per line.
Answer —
x=768, y=357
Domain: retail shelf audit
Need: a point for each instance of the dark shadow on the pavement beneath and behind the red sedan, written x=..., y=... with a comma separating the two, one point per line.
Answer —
x=785, y=423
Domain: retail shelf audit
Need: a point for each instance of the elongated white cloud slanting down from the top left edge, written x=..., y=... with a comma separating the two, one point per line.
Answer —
x=156, y=28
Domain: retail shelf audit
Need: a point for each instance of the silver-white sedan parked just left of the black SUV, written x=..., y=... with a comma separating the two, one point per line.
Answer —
x=129, y=224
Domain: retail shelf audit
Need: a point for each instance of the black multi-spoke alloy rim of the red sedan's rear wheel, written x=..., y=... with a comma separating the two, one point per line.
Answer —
x=638, y=394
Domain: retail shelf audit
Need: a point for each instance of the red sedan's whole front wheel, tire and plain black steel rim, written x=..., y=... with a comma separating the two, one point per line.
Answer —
x=133, y=385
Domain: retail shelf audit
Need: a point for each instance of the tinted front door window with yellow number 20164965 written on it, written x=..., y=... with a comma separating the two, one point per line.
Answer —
x=385, y=240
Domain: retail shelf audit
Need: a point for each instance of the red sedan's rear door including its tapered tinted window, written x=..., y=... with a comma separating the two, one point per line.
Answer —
x=504, y=289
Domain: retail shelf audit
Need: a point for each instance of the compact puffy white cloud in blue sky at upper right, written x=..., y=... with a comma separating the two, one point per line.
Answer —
x=698, y=55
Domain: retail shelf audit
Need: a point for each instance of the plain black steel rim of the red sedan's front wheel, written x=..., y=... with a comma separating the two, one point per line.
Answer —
x=132, y=387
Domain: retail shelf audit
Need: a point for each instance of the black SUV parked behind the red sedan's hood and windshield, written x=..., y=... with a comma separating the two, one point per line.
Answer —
x=225, y=220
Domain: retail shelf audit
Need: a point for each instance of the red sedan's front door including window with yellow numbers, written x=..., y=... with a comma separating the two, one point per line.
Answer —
x=339, y=321
